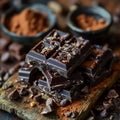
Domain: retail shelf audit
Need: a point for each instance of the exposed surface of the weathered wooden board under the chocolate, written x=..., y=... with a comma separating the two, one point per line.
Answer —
x=82, y=106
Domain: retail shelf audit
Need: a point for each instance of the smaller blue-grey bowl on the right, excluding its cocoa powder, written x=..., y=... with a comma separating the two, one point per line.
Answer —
x=95, y=11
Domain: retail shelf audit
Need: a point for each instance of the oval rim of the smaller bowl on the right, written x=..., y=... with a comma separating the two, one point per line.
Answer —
x=77, y=29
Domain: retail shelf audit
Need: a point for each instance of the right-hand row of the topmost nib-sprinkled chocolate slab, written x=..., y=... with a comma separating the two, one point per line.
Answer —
x=69, y=56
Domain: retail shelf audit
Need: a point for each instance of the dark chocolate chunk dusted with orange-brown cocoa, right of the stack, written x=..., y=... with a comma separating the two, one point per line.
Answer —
x=96, y=65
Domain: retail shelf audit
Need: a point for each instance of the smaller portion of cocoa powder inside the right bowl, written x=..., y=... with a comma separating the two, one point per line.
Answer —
x=89, y=23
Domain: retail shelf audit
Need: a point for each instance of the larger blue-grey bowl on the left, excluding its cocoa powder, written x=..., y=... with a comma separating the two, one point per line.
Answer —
x=28, y=40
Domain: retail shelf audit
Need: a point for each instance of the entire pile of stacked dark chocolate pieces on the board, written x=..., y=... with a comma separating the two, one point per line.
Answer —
x=61, y=65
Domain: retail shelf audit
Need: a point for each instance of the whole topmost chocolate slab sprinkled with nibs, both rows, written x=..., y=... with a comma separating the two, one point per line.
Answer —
x=61, y=53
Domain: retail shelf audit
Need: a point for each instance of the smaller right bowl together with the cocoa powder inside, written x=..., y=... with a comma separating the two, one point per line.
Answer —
x=90, y=22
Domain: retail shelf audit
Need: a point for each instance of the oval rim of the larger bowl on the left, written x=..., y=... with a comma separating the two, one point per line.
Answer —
x=6, y=31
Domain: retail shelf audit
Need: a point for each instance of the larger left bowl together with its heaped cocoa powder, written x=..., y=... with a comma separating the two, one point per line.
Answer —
x=28, y=24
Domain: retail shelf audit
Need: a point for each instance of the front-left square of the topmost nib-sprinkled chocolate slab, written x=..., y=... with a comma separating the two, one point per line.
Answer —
x=41, y=52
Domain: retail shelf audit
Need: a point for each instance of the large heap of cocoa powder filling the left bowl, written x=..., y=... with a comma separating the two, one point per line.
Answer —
x=27, y=23
